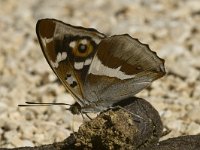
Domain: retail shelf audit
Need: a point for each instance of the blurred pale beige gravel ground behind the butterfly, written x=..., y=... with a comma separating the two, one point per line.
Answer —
x=171, y=28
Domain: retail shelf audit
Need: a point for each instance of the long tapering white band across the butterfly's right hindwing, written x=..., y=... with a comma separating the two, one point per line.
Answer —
x=97, y=68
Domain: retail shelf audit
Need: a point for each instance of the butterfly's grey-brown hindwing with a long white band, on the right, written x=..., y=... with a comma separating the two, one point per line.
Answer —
x=122, y=67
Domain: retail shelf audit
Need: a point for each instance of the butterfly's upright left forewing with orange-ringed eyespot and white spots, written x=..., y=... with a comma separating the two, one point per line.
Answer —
x=69, y=51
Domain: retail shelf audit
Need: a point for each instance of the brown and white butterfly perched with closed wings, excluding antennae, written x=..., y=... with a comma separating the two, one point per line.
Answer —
x=98, y=70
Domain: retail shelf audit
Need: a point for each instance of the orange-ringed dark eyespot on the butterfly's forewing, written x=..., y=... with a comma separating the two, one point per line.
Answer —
x=82, y=48
